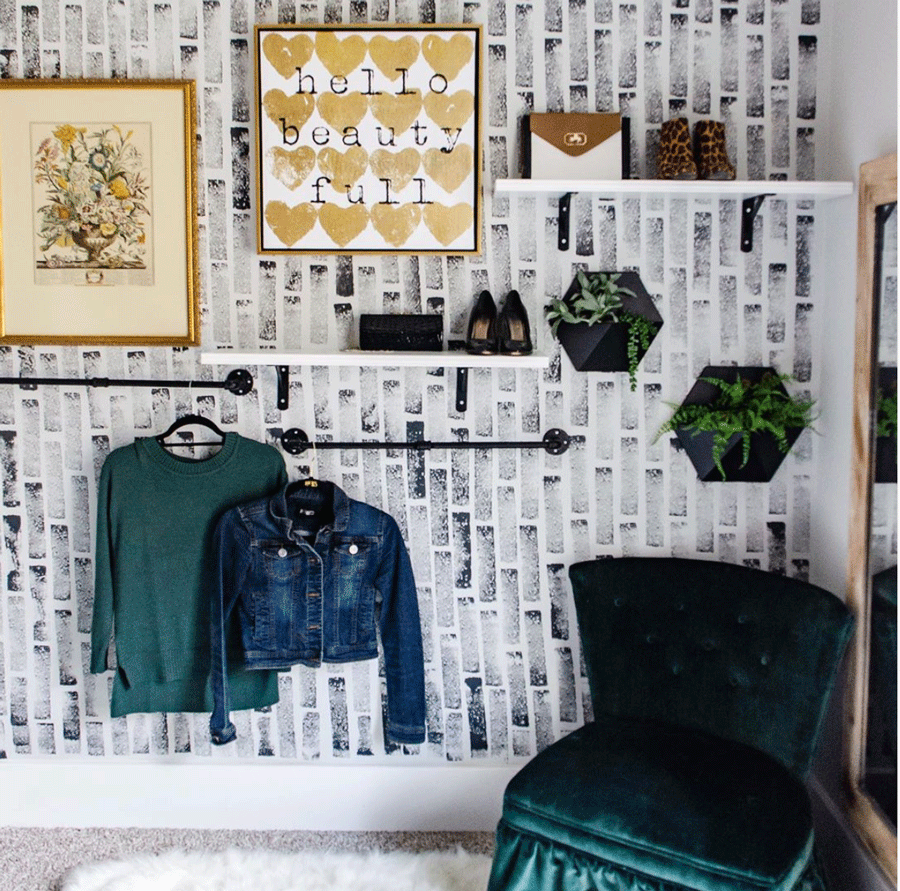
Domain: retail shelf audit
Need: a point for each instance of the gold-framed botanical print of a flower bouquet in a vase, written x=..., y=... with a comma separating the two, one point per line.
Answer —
x=98, y=212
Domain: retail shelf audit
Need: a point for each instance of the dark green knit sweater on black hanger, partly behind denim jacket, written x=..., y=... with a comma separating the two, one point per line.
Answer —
x=155, y=564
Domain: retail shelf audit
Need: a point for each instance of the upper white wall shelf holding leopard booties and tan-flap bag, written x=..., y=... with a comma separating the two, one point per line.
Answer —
x=618, y=188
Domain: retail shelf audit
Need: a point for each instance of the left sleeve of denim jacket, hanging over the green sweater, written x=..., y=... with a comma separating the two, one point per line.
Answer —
x=232, y=544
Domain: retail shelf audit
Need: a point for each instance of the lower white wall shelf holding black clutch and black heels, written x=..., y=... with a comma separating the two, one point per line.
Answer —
x=374, y=359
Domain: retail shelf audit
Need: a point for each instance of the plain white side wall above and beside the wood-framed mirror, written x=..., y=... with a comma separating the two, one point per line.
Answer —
x=858, y=109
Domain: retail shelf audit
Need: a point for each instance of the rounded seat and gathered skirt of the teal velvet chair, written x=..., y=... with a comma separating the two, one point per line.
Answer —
x=630, y=804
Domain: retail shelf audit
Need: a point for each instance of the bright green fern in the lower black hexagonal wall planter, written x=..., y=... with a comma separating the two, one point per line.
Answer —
x=743, y=407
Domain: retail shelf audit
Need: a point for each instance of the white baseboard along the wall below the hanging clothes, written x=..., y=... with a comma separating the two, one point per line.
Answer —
x=305, y=797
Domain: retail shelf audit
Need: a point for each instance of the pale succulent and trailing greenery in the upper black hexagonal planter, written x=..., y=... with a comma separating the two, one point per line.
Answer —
x=599, y=301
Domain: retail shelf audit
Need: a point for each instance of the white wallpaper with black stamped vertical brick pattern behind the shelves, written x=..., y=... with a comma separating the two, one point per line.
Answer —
x=490, y=533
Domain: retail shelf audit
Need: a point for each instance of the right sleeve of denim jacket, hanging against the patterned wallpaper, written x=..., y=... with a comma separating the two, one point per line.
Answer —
x=401, y=640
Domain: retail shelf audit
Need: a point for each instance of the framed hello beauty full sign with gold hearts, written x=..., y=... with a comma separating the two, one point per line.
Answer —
x=368, y=138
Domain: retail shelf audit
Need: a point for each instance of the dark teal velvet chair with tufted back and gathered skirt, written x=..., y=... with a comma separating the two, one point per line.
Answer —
x=709, y=684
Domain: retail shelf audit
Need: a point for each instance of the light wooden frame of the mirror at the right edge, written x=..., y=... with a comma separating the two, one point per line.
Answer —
x=877, y=185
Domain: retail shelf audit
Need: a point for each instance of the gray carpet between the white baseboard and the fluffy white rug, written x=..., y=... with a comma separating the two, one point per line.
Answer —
x=37, y=859
